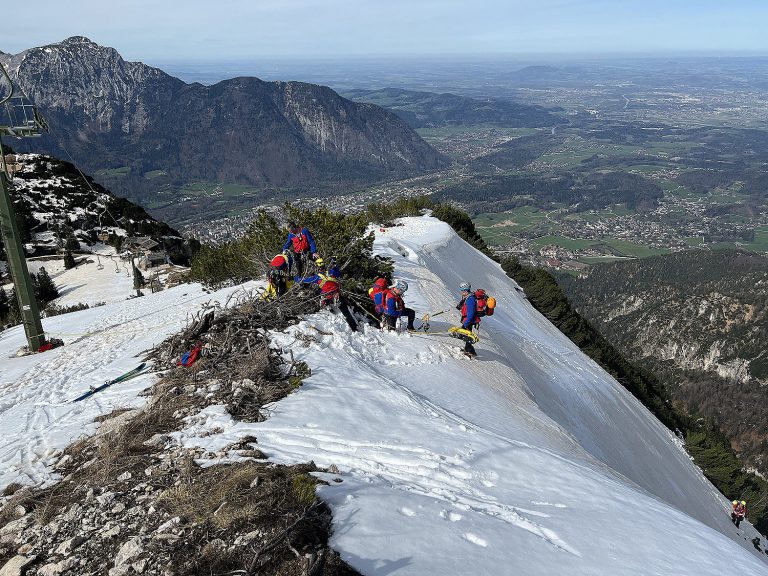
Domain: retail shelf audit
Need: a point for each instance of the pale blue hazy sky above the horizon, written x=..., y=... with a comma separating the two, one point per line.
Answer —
x=251, y=29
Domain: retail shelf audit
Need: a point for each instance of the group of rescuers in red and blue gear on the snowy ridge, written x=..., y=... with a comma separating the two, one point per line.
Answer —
x=299, y=249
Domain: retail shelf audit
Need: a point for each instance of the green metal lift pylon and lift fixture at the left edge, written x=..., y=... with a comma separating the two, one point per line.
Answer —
x=20, y=119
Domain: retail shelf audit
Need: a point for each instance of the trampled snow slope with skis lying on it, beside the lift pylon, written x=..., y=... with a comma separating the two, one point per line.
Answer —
x=36, y=420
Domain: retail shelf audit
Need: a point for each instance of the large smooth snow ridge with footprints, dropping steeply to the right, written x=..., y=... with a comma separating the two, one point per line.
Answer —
x=530, y=460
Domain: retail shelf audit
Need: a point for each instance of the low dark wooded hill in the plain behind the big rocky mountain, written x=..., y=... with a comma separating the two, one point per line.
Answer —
x=427, y=109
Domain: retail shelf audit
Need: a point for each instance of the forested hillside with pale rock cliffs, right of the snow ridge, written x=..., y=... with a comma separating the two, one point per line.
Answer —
x=698, y=319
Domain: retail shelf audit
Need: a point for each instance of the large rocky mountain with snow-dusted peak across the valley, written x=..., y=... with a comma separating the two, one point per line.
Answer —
x=109, y=113
